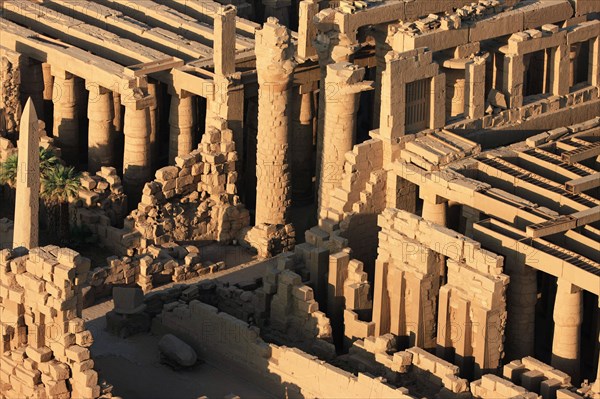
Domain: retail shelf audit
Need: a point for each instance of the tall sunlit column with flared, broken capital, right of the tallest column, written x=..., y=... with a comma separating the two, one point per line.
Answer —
x=343, y=85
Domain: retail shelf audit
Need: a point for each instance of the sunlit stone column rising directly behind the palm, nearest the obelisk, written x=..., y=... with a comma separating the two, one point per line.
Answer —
x=66, y=119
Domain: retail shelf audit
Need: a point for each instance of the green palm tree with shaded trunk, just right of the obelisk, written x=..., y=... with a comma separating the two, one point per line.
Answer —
x=60, y=184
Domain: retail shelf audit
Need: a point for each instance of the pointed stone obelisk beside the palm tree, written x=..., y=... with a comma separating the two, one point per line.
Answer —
x=27, y=203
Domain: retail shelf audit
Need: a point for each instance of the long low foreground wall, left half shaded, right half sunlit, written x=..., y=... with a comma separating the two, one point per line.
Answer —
x=219, y=335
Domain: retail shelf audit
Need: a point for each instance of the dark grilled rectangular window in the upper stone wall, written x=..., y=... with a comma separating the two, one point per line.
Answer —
x=418, y=100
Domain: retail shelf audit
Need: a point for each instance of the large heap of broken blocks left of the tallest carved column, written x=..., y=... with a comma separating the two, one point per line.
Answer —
x=195, y=199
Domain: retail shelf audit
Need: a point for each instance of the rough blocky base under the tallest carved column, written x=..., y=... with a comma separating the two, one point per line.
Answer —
x=269, y=239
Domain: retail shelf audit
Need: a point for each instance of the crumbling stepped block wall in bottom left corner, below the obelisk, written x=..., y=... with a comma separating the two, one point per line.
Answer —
x=44, y=351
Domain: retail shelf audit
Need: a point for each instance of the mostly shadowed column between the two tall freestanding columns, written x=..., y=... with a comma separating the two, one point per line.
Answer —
x=302, y=144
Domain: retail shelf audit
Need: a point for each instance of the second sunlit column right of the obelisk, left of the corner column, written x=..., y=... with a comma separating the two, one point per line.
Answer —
x=100, y=133
